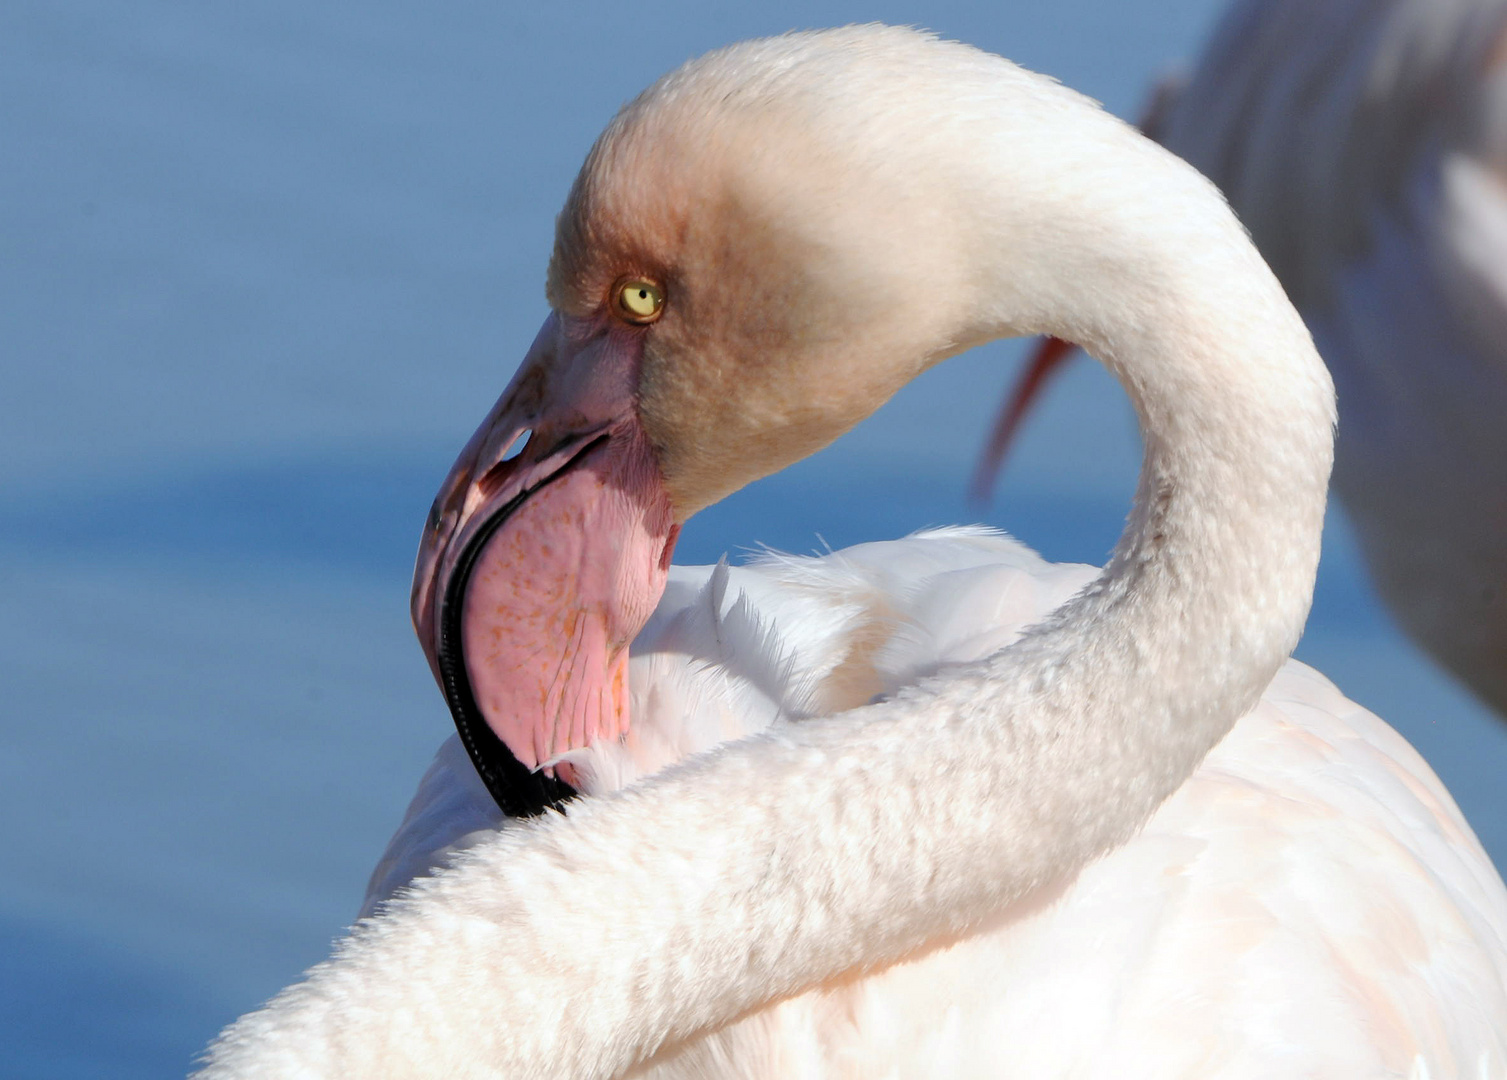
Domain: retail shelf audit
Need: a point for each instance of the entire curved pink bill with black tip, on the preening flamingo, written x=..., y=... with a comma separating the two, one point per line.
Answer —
x=545, y=554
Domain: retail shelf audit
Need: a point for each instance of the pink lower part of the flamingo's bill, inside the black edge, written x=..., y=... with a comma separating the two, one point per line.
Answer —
x=557, y=597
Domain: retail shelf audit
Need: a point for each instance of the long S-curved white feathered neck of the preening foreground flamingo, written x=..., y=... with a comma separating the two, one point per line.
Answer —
x=579, y=947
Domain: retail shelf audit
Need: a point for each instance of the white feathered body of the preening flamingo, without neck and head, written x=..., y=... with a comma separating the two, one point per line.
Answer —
x=1310, y=903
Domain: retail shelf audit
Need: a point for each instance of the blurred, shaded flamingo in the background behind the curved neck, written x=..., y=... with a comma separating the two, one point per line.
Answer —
x=1363, y=144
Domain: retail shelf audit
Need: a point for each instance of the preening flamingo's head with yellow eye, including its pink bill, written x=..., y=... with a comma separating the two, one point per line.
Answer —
x=757, y=254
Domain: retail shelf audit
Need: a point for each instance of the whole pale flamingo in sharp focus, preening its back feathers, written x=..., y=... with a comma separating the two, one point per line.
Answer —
x=928, y=808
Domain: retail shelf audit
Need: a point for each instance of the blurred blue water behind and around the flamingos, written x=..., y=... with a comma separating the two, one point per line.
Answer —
x=264, y=269
